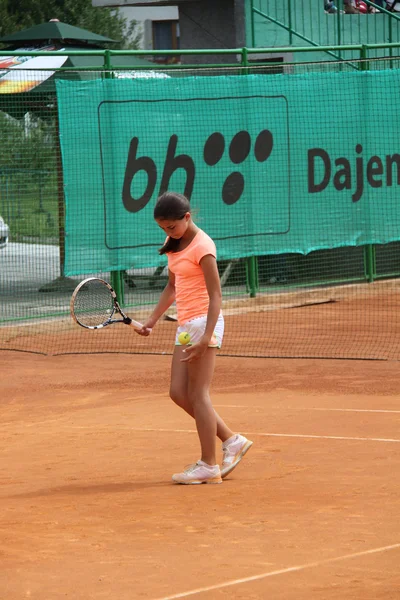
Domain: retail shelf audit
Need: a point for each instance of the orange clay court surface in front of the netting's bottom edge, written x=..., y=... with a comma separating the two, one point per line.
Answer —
x=88, y=510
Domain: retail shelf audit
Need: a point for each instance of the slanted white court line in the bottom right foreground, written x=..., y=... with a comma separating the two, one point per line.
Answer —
x=311, y=565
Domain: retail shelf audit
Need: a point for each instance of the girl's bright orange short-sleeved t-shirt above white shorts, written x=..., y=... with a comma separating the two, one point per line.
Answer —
x=191, y=293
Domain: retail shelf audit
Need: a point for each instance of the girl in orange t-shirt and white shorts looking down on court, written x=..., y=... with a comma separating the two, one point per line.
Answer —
x=195, y=286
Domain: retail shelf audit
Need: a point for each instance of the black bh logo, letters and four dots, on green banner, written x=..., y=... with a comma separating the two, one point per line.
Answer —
x=237, y=149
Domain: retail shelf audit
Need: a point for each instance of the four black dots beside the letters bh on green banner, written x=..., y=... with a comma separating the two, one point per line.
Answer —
x=239, y=150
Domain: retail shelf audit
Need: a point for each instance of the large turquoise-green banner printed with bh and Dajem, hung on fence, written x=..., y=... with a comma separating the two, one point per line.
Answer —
x=262, y=180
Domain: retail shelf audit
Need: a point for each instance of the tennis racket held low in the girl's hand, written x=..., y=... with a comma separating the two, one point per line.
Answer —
x=94, y=305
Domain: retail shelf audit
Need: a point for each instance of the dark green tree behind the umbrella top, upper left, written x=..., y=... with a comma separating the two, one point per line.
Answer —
x=16, y=15
